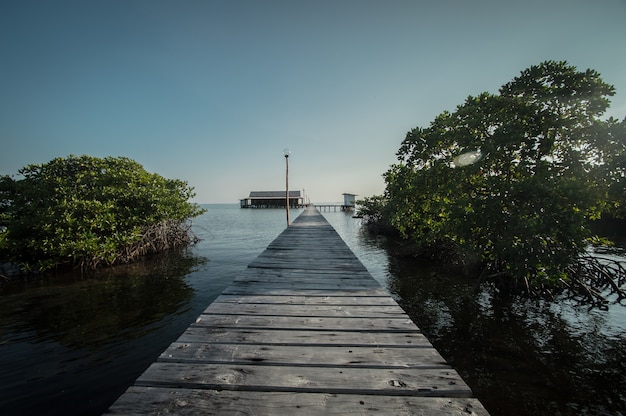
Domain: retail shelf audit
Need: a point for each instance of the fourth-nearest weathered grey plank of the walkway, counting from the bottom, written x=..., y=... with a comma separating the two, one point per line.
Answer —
x=272, y=336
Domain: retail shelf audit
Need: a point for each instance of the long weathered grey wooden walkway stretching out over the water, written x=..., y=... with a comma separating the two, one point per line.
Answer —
x=304, y=330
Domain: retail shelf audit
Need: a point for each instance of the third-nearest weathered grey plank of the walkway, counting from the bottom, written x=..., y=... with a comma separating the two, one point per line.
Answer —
x=371, y=356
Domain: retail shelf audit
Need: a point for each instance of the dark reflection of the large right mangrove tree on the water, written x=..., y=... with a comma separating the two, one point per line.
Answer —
x=520, y=357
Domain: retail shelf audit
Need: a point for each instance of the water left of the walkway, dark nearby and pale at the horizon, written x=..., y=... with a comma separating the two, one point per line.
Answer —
x=70, y=345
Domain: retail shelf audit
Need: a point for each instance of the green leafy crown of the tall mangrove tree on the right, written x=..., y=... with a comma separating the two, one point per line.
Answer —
x=523, y=207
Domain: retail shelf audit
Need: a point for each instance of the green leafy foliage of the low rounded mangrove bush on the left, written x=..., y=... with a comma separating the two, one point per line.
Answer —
x=88, y=211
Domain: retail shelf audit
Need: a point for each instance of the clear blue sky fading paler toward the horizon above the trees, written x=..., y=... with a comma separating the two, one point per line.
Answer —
x=212, y=91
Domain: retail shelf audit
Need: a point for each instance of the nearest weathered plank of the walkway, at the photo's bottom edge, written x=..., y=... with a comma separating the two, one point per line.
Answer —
x=166, y=401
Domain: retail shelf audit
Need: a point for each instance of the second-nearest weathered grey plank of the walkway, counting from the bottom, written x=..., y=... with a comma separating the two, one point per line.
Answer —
x=428, y=381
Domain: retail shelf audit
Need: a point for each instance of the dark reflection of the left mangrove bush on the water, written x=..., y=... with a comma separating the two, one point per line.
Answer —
x=85, y=312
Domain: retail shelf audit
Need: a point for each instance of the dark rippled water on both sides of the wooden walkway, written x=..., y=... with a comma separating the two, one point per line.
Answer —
x=70, y=345
